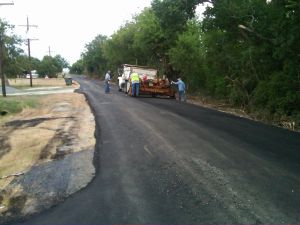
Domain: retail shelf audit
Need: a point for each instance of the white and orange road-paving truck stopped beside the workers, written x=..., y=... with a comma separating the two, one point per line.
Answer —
x=150, y=84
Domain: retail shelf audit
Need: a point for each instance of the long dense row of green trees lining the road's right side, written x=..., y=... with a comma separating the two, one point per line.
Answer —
x=246, y=53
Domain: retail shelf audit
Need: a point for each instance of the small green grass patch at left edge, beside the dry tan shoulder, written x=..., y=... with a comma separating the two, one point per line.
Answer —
x=13, y=105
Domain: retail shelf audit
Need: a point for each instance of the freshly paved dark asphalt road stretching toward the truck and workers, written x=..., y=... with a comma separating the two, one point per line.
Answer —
x=159, y=161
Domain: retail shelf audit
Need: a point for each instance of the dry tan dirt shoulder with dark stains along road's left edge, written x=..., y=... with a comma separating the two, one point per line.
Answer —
x=46, y=154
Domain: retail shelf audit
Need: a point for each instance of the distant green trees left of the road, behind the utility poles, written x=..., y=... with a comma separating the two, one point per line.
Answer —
x=16, y=62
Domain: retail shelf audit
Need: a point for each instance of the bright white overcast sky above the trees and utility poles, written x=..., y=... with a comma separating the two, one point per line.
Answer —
x=68, y=25
